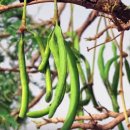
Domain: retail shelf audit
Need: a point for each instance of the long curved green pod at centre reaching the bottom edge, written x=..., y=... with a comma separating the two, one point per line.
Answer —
x=74, y=92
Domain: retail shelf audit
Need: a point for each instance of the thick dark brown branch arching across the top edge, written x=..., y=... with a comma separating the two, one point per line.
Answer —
x=112, y=7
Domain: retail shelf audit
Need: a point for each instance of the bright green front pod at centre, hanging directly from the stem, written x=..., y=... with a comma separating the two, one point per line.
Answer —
x=63, y=70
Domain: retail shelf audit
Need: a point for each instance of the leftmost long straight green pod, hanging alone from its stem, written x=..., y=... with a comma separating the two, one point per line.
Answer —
x=24, y=78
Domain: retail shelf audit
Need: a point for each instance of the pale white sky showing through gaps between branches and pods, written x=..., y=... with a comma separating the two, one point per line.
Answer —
x=44, y=12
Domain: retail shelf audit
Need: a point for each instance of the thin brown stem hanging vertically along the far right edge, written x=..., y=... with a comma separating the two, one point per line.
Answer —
x=121, y=92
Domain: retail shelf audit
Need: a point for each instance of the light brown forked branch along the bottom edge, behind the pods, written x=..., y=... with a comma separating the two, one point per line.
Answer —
x=118, y=117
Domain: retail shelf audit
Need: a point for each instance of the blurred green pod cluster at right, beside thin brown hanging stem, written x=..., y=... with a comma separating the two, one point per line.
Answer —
x=104, y=69
